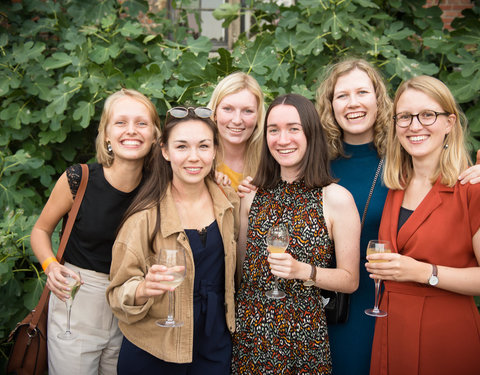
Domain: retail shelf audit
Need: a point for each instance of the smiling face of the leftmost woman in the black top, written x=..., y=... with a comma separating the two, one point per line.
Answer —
x=130, y=131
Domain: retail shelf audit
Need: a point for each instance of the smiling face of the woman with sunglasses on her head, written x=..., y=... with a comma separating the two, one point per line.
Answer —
x=190, y=150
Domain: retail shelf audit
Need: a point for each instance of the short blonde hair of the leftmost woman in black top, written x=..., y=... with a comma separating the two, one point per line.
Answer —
x=103, y=156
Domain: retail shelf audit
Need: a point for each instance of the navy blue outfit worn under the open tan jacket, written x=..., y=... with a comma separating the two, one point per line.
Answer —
x=212, y=343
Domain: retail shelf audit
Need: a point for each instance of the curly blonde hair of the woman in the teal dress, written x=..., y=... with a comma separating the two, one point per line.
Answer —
x=324, y=98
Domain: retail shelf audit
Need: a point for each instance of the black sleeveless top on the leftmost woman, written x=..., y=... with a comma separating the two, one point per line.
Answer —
x=90, y=243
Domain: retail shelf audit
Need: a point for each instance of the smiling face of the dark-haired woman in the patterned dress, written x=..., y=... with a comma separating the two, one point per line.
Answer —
x=286, y=140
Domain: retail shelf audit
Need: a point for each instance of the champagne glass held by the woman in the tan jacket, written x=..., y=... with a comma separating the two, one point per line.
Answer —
x=175, y=261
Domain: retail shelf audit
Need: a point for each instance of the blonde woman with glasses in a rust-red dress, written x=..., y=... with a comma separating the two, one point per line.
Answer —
x=432, y=221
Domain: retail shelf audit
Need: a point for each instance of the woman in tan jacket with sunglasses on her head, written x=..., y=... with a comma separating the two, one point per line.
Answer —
x=181, y=208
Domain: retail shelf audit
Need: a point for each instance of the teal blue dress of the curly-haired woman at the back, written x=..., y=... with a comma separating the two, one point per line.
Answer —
x=351, y=343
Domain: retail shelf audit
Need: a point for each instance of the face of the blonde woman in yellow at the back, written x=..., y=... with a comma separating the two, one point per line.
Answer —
x=236, y=117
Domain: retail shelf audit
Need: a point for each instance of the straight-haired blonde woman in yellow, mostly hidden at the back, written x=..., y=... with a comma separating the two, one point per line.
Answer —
x=238, y=110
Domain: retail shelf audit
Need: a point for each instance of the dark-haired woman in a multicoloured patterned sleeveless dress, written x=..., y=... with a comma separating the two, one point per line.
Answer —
x=289, y=336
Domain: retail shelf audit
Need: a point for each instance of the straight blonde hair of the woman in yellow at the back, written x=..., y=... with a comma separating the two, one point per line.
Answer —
x=232, y=84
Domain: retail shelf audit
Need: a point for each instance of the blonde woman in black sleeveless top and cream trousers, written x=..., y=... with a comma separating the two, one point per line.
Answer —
x=128, y=127
